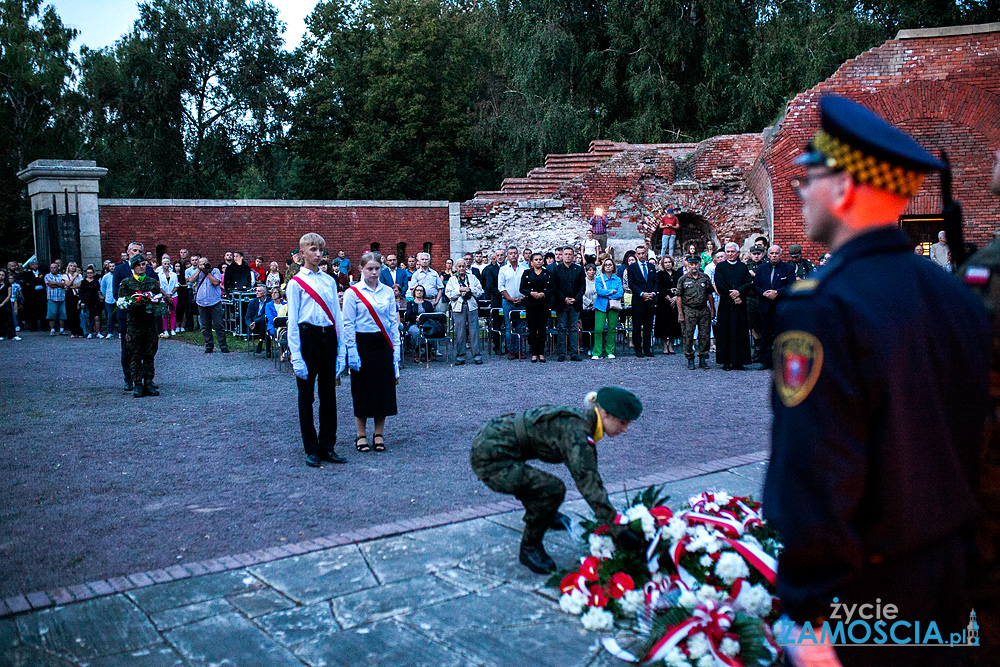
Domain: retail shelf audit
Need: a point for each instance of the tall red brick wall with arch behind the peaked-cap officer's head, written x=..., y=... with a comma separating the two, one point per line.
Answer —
x=943, y=90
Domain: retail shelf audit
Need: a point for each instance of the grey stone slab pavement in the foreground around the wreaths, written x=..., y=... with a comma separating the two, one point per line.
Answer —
x=453, y=594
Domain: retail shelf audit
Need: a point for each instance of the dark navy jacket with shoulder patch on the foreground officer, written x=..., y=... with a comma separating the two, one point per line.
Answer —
x=879, y=395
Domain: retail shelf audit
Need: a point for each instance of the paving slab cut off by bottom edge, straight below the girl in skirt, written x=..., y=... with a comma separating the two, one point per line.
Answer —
x=385, y=643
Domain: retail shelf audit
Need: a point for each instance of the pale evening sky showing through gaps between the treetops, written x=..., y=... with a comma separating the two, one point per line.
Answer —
x=102, y=22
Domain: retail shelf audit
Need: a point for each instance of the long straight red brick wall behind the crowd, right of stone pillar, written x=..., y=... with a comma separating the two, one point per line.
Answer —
x=272, y=231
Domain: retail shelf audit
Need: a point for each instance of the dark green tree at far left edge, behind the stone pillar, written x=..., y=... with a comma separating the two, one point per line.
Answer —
x=36, y=119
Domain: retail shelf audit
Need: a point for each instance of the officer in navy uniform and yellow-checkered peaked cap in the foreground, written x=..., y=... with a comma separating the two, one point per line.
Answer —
x=879, y=395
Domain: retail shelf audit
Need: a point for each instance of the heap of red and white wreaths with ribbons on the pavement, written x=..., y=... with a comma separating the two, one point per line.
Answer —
x=700, y=592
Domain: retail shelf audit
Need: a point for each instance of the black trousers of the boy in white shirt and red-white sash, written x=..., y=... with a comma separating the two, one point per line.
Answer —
x=319, y=351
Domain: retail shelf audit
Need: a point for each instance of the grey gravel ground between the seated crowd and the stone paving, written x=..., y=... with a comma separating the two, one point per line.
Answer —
x=99, y=484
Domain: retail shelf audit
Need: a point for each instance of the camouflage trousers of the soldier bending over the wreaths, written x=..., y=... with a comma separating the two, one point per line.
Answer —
x=540, y=492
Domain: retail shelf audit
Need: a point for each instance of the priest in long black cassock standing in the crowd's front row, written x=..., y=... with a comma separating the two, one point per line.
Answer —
x=732, y=333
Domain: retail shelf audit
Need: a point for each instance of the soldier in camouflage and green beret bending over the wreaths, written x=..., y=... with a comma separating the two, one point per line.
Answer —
x=554, y=434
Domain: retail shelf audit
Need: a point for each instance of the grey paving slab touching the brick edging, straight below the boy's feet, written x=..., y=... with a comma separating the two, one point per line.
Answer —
x=320, y=575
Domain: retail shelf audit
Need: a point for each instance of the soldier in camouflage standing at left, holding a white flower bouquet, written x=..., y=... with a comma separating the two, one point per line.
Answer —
x=140, y=297
